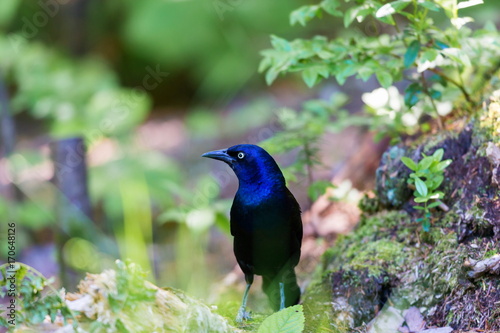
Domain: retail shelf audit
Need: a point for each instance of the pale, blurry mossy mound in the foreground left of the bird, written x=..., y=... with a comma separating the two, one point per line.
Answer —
x=121, y=300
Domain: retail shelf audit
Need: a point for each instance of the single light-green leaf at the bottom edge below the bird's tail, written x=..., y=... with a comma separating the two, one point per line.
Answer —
x=289, y=320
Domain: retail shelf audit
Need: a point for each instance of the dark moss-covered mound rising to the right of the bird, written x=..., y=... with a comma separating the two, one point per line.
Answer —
x=389, y=259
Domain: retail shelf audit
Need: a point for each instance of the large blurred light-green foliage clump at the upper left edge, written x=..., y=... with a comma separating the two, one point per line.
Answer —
x=78, y=97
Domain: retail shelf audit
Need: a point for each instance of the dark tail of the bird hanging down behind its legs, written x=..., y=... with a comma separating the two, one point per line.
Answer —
x=270, y=285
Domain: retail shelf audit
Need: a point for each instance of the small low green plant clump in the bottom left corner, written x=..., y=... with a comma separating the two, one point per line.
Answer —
x=35, y=297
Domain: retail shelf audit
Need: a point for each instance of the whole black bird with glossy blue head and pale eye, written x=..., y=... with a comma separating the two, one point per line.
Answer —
x=265, y=223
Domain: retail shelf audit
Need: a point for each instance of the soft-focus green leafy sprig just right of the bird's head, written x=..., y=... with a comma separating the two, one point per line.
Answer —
x=301, y=131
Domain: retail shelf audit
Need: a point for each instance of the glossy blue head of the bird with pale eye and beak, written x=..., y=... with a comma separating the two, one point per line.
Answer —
x=251, y=164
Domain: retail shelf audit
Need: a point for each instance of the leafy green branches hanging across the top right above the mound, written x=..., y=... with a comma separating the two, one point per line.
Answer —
x=431, y=47
